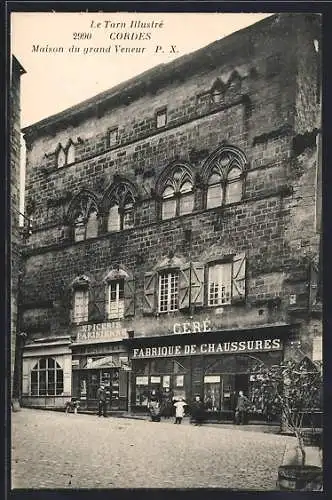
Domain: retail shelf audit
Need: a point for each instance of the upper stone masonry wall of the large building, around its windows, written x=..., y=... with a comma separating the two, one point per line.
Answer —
x=262, y=110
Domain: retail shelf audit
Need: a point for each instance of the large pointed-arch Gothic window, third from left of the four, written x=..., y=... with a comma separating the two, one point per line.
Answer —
x=177, y=195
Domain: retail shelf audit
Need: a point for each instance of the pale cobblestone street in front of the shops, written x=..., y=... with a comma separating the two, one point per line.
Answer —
x=52, y=450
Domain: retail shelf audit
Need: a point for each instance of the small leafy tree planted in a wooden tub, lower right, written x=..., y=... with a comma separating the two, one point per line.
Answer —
x=292, y=390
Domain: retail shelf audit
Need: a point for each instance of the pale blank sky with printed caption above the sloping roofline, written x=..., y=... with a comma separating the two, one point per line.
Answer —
x=91, y=52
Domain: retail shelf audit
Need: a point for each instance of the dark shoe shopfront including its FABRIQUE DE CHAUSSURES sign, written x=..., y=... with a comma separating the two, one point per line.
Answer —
x=216, y=368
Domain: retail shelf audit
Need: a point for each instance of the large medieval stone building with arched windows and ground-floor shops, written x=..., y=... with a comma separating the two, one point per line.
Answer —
x=174, y=225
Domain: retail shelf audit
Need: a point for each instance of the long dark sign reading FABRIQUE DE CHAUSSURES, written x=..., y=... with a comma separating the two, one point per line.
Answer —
x=245, y=346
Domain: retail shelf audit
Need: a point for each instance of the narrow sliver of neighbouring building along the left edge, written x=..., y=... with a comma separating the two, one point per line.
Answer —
x=16, y=244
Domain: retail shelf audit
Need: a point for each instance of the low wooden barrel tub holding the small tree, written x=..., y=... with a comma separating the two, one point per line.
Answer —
x=300, y=477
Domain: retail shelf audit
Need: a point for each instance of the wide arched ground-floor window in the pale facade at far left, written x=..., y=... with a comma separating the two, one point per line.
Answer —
x=46, y=378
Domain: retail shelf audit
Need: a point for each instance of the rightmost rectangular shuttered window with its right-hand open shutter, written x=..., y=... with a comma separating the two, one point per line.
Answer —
x=226, y=281
